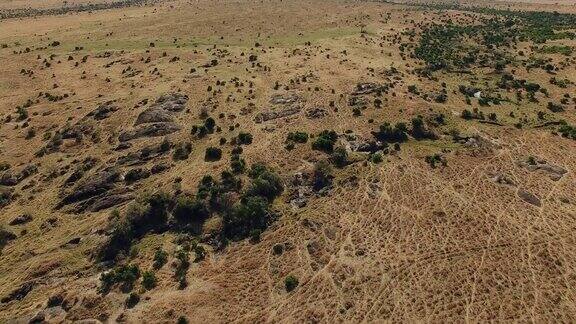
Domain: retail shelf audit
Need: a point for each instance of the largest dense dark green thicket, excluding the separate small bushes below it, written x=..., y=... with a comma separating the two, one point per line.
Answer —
x=242, y=210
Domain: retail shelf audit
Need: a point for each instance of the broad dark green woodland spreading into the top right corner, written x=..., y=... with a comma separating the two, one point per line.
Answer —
x=455, y=47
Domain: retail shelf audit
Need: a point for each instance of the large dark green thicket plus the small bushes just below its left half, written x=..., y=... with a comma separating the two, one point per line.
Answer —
x=245, y=213
